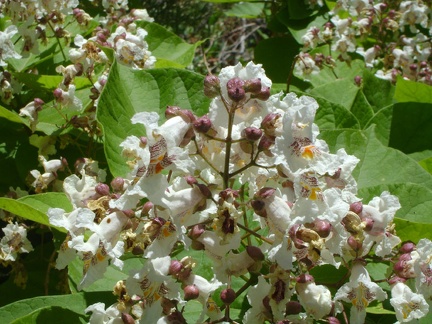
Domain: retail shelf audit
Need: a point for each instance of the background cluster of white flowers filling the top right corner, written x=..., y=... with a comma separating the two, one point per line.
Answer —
x=398, y=37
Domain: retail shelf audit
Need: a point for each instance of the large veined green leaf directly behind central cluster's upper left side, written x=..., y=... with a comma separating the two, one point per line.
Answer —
x=128, y=92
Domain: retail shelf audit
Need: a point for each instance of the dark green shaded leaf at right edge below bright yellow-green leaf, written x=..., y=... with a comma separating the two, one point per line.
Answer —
x=411, y=128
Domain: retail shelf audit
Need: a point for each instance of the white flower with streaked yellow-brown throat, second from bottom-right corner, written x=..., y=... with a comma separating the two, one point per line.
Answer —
x=359, y=291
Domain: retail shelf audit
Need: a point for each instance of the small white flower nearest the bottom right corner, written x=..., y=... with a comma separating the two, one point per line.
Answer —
x=408, y=305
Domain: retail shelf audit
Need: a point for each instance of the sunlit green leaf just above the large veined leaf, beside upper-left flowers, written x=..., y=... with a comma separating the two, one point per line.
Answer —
x=167, y=46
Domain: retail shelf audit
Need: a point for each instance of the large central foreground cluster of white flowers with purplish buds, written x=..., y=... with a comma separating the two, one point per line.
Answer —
x=252, y=186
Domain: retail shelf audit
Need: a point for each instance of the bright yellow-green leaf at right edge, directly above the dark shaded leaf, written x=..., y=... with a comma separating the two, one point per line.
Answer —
x=411, y=91
